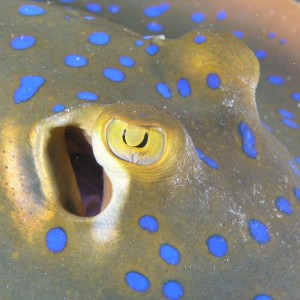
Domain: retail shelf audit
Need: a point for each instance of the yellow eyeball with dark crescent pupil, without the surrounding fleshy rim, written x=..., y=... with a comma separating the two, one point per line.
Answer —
x=137, y=144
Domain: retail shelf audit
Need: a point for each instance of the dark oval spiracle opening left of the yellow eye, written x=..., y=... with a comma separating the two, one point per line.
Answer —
x=79, y=182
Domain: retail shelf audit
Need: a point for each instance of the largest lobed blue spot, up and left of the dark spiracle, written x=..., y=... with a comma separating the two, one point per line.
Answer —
x=29, y=85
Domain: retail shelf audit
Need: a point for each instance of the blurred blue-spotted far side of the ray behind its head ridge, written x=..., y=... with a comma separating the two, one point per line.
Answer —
x=270, y=28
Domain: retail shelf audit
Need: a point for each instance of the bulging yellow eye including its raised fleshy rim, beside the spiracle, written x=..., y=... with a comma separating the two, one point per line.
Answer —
x=140, y=141
